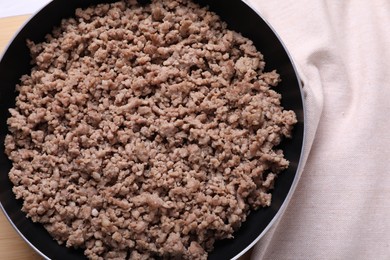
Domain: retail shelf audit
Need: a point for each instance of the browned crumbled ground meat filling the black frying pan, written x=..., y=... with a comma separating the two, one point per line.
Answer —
x=145, y=131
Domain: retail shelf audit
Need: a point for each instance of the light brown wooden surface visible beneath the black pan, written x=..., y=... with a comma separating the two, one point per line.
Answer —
x=12, y=246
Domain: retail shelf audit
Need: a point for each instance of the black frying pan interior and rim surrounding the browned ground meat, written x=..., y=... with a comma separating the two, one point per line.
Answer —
x=239, y=17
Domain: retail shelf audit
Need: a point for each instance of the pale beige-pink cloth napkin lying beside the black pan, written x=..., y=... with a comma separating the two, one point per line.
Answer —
x=341, y=207
